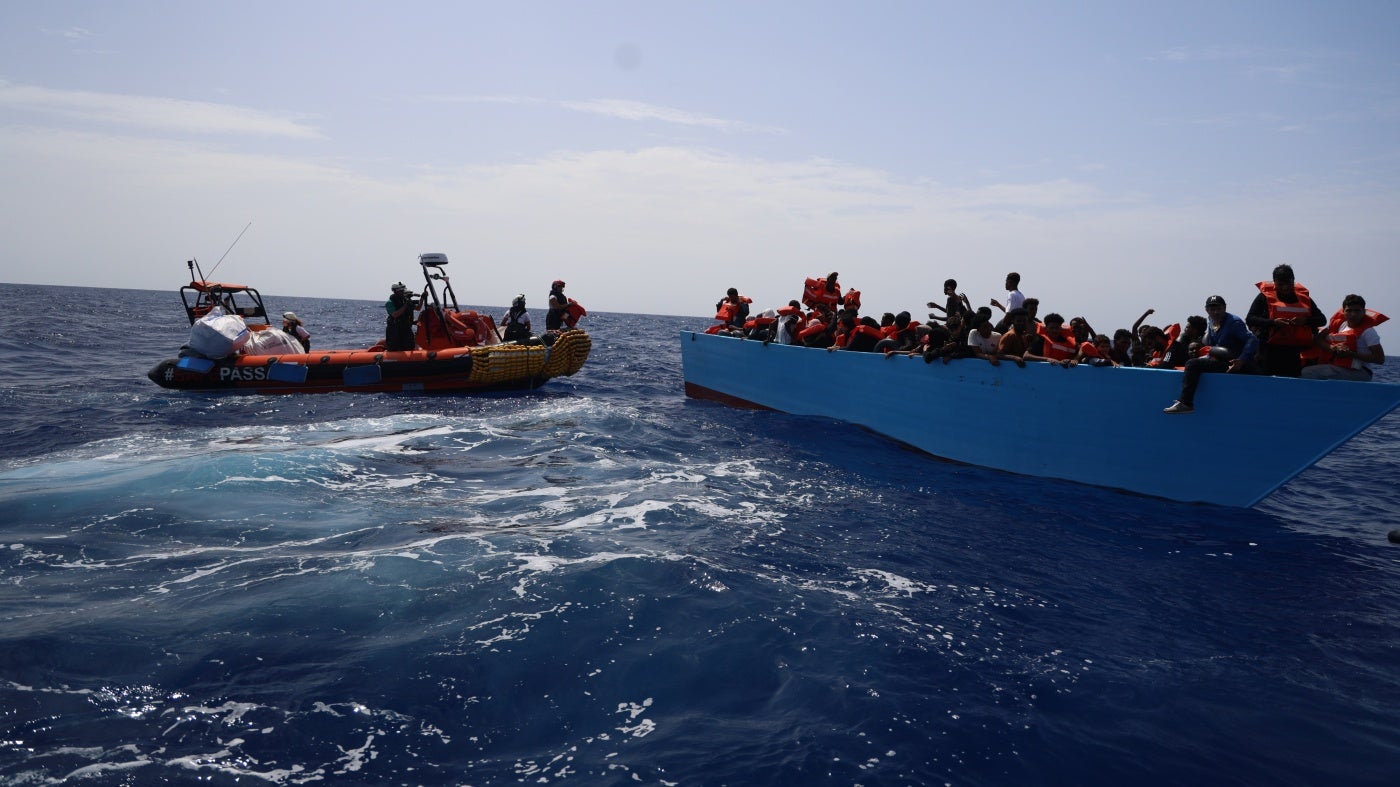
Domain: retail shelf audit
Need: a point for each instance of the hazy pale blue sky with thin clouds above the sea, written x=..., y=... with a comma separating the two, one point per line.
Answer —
x=1121, y=156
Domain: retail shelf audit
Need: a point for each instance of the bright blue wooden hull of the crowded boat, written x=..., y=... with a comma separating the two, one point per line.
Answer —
x=1097, y=426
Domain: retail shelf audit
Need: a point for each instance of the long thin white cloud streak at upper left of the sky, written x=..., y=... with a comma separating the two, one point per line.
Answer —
x=152, y=113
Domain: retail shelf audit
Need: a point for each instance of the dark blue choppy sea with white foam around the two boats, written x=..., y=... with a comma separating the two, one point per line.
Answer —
x=603, y=582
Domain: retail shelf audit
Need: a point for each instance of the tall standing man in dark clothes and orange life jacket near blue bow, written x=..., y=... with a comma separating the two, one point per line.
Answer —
x=1286, y=320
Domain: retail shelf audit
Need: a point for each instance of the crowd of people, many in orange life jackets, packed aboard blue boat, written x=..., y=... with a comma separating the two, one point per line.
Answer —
x=1284, y=334
